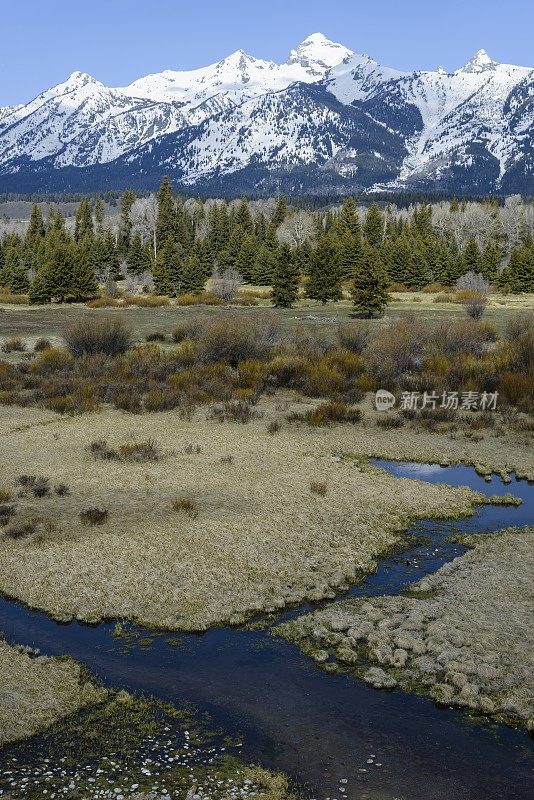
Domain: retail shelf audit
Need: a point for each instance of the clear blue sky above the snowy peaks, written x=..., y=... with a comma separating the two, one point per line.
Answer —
x=117, y=41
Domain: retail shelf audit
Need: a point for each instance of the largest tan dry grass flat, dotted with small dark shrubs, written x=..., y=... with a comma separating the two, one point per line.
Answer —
x=261, y=539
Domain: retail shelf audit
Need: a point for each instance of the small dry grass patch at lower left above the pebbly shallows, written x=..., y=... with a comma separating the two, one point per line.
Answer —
x=35, y=692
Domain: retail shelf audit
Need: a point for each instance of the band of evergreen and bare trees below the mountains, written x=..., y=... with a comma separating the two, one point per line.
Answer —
x=173, y=246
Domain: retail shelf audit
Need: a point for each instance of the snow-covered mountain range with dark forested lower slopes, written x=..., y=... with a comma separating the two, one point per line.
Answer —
x=326, y=121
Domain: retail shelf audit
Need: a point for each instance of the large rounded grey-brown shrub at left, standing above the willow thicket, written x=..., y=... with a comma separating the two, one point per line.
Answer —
x=107, y=335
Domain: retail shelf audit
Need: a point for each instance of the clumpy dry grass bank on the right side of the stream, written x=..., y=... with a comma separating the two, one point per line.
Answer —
x=467, y=641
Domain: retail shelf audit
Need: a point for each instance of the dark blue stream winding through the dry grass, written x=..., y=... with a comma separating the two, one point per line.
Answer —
x=320, y=728
